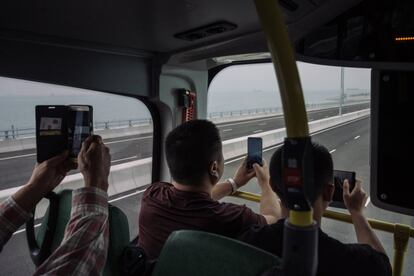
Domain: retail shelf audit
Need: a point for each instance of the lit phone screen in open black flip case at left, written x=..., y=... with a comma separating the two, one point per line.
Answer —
x=79, y=127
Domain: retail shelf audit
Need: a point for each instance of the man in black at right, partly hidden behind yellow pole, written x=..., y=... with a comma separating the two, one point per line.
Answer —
x=367, y=257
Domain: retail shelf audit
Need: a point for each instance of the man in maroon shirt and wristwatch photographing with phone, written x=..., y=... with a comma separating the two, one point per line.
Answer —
x=196, y=163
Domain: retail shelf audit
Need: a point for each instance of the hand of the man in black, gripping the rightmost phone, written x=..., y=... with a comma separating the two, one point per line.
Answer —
x=354, y=201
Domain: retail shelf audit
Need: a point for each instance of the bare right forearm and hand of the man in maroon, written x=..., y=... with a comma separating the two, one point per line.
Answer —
x=270, y=205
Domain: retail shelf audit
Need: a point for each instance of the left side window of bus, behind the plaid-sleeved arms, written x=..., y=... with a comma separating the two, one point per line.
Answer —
x=124, y=123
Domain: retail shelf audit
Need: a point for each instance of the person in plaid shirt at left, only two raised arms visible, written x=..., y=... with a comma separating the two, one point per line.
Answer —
x=84, y=248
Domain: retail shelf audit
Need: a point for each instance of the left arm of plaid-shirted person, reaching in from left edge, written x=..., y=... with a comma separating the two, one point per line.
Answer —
x=17, y=209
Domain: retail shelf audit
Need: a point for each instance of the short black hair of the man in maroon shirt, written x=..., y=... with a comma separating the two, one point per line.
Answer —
x=191, y=148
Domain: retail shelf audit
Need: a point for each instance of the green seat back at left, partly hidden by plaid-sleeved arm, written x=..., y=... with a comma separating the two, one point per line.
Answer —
x=53, y=225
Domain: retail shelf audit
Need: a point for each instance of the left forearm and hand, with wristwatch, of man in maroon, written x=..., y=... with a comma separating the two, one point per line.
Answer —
x=241, y=178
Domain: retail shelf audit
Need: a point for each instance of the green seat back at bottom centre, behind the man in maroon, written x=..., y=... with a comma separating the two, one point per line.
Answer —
x=189, y=253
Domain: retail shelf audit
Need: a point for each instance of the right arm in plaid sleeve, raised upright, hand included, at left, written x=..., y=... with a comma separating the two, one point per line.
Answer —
x=84, y=248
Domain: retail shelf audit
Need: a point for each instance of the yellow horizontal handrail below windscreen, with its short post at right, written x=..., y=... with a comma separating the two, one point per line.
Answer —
x=402, y=233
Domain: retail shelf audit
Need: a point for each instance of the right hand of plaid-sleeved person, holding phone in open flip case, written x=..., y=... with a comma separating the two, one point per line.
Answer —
x=94, y=162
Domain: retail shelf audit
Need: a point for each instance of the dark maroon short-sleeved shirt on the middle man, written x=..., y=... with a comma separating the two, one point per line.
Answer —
x=165, y=209
